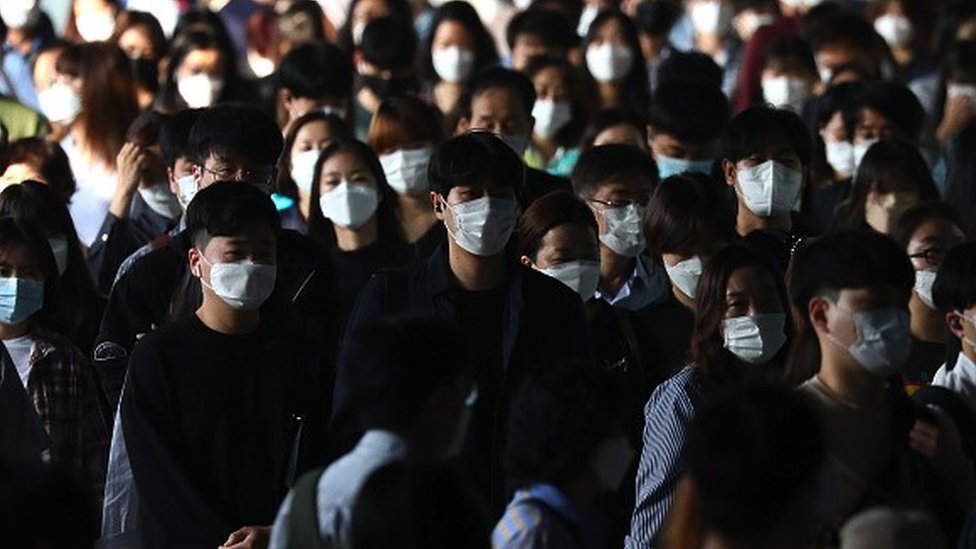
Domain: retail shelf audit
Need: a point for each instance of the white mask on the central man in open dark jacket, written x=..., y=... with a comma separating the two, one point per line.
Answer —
x=483, y=226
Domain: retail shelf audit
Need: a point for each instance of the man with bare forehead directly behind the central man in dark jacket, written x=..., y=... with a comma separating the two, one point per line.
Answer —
x=501, y=100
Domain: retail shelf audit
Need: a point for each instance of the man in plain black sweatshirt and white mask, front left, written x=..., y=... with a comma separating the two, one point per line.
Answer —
x=229, y=350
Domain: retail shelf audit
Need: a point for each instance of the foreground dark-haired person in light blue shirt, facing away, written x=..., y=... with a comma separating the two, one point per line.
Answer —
x=419, y=422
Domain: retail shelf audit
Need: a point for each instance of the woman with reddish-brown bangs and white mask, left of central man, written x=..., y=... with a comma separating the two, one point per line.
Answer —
x=403, y=133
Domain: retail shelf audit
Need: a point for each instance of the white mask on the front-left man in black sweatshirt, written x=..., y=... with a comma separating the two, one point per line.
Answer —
x=242, y=285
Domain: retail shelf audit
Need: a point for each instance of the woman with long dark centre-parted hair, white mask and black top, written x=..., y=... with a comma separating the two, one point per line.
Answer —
x=352, y=216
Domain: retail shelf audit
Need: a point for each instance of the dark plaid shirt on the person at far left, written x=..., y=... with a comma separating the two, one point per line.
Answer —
x=62, y=386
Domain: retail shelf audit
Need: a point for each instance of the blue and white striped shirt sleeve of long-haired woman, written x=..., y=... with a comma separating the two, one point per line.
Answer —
x=667, y=421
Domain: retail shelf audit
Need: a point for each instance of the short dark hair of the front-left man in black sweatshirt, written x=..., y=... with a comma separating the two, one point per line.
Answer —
x=227, y=208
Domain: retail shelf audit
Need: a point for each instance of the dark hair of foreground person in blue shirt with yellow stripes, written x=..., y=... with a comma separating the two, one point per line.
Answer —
x=558, y=420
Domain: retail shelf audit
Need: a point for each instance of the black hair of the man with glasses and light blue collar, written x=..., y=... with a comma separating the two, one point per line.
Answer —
x=606, y=163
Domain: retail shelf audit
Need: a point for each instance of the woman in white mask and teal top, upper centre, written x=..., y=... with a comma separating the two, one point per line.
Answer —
x=560, y=114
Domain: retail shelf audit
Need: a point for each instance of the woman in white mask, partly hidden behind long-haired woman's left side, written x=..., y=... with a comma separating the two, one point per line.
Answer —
x=304, y=140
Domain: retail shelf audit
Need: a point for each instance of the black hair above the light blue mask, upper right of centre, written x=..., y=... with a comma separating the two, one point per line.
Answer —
x=689, y=112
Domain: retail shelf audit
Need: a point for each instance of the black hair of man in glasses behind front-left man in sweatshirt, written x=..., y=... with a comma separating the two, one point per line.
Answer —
x=236, y=130
